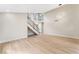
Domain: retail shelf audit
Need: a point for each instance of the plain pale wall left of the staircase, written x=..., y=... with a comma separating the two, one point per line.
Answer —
x=13, y=26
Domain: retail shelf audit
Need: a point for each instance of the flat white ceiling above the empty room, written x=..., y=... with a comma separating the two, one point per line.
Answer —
x=36, y=8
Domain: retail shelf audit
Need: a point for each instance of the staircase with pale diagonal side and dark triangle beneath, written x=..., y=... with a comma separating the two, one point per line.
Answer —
x=33, y=28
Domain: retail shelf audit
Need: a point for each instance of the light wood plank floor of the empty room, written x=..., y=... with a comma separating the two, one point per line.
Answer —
x=42, y=44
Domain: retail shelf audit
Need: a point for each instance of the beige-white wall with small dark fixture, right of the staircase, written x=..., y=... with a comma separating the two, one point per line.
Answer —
x=63, y=21
